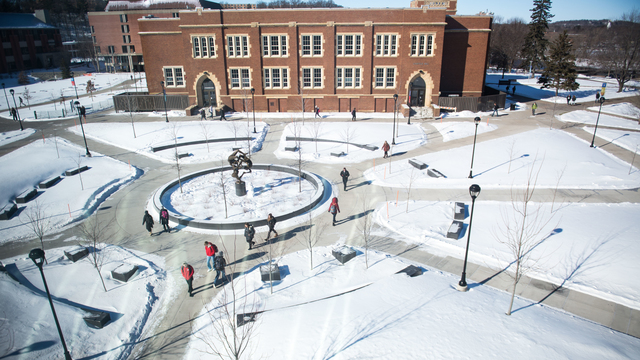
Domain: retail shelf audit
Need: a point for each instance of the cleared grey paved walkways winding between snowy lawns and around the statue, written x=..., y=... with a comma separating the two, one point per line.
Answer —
x=169, y=339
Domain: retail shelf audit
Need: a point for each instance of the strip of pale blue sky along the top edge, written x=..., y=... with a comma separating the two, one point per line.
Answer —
x=562, y=9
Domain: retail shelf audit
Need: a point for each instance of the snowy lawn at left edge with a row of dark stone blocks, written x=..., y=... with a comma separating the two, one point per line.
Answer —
x=73, y=197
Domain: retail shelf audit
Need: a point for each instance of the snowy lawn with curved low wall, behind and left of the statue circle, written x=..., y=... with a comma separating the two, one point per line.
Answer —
x=154, y=134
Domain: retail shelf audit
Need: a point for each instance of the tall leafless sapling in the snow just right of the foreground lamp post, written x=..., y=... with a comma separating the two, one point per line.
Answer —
x=521, y=229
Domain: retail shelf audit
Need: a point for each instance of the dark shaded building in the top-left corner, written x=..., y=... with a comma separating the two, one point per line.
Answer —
x=28, y=42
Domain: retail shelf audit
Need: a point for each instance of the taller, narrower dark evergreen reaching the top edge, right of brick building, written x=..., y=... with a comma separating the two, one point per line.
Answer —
x=535, y=43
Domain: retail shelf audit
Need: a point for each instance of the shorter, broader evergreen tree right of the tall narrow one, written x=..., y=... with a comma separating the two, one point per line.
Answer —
x=560, y=67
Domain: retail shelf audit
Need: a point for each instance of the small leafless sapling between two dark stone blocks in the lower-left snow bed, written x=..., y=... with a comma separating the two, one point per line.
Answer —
x=93, y=232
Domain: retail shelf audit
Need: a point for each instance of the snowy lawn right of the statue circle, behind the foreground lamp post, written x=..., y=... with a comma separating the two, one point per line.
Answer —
x=566, y=162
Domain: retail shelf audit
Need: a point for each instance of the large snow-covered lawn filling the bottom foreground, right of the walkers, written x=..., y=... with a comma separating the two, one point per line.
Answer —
x=385, y=315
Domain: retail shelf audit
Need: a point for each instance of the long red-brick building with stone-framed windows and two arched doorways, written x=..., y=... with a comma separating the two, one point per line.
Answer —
x=337, y=59
